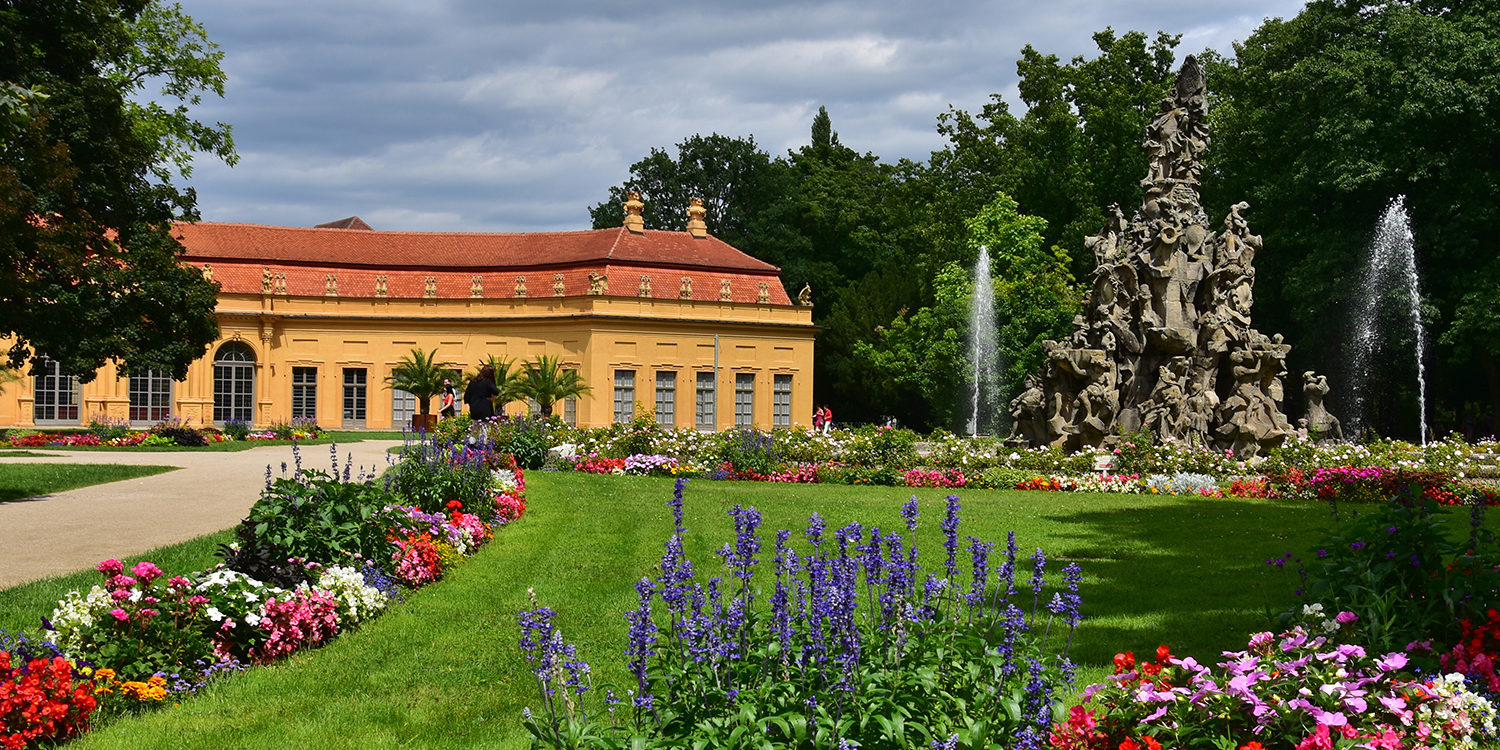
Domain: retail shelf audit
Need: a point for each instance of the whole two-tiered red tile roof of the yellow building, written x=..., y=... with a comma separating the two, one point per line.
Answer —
x=302, y=260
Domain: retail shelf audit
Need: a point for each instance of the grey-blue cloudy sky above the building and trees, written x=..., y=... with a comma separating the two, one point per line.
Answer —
x=484, y=116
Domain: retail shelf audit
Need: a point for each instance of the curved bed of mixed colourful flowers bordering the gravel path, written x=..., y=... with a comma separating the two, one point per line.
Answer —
x=343, y=553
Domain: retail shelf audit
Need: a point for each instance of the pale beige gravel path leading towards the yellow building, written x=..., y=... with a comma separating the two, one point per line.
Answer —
x=212, y=491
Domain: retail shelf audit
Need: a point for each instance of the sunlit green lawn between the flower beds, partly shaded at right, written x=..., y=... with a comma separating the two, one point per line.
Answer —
x=445, y=670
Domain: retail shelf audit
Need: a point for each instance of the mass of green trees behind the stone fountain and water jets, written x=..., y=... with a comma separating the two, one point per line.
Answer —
x=1319, y=122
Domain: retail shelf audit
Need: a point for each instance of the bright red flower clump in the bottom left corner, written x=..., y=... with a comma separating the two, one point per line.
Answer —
x=41, y=703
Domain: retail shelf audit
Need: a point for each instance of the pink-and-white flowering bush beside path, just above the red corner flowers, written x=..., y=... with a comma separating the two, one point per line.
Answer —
x=148, y=628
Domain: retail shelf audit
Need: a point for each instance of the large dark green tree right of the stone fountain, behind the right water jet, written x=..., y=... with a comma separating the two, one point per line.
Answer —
x=1319, y=122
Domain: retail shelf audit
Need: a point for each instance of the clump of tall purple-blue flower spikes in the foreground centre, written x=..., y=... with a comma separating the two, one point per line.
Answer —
x=853, y=629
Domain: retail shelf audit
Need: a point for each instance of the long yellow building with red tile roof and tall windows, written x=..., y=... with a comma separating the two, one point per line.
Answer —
x=313, y=320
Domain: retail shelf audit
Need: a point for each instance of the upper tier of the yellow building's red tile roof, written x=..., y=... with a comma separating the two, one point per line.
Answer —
x=437, y=251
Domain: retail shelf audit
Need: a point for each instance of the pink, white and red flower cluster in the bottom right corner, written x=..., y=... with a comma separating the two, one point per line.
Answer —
x=1307, y=688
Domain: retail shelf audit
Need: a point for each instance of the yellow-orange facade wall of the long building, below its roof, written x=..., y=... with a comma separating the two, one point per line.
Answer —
x=598, y=335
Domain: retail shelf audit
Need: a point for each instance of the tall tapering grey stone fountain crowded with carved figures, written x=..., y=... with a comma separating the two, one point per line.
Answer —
x=1165, y=343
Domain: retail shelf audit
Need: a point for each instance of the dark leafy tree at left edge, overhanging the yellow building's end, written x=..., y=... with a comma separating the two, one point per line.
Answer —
x=89, y=182
